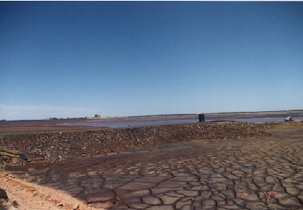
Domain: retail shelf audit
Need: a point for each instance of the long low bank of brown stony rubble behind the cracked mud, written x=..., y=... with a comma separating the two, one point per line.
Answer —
x=58, y=146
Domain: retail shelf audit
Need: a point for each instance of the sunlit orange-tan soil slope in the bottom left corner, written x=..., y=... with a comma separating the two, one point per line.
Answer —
x=24, y=196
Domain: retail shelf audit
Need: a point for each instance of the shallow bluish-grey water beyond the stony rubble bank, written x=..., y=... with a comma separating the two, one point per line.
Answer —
x=125, y=124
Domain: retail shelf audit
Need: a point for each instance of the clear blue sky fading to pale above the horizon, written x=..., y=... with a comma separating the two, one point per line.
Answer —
x=60, y=59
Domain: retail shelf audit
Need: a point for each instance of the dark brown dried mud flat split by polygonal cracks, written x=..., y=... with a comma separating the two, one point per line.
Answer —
x=255, y=173
